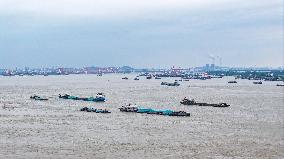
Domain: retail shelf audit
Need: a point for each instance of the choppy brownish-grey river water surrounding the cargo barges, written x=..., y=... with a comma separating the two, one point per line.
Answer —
x=251, y=128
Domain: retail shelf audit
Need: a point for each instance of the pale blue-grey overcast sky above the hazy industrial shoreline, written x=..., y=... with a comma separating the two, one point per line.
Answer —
x=142, y=34
